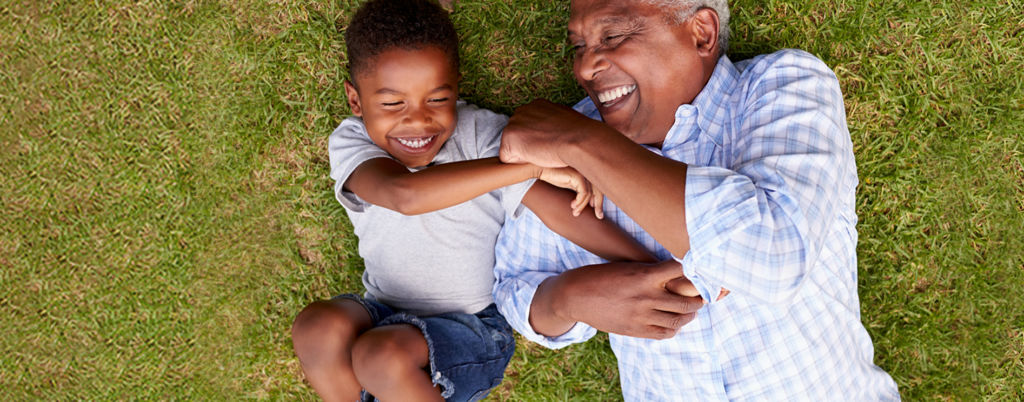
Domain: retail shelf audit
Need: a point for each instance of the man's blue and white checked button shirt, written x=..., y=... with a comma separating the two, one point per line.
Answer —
x=771, y=215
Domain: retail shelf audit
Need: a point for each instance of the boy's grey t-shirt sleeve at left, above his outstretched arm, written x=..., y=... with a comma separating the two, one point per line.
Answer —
x=349, y=147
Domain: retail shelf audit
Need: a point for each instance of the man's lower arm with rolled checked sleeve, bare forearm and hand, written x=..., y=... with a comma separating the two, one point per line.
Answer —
x=532, y=290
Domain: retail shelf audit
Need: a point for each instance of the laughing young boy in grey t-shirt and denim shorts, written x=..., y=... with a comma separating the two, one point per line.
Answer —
x=417, y=174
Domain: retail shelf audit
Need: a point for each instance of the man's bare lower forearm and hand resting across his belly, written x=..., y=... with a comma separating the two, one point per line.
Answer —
x=634, y=300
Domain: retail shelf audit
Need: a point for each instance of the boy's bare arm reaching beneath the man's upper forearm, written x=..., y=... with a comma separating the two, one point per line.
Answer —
x=598, y=236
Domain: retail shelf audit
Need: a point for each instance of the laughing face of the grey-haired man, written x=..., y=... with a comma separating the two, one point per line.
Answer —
x=635, y=65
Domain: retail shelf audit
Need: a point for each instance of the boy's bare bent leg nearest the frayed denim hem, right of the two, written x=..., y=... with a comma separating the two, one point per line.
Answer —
x=391, y=363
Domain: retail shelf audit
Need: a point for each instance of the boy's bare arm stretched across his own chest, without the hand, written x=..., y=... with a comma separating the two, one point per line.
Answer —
x=388, y=184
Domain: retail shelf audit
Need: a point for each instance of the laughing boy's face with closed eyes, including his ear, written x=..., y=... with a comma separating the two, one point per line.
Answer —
x=408, y=103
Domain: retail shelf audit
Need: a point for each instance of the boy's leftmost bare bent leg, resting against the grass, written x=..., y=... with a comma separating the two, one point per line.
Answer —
x=323, y=336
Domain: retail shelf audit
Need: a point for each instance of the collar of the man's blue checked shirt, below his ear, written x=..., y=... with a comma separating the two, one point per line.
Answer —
x=710, y=106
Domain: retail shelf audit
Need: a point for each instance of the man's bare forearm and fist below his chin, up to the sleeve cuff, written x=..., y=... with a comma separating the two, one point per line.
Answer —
x=650, y=189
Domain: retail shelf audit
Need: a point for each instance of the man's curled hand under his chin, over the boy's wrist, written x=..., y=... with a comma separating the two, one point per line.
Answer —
x=538, y=130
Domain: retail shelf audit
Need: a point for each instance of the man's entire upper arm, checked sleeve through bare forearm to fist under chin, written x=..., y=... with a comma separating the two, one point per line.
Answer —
x=762, y=220
